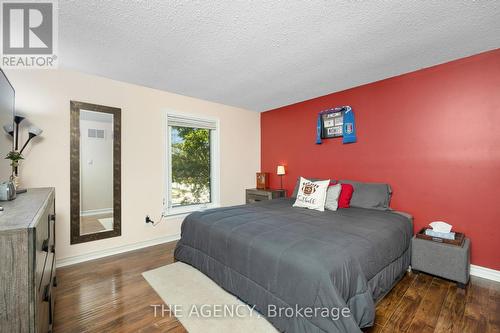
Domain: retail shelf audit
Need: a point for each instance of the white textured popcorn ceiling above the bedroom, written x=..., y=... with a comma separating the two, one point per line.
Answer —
x=264, y=54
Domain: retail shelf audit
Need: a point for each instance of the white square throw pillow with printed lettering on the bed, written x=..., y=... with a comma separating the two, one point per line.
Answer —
x=312, y=195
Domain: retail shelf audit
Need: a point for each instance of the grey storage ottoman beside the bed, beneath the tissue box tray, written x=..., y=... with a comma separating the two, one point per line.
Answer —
x=448, y=261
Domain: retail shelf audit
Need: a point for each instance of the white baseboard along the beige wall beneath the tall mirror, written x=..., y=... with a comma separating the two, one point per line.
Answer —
x=116, y=250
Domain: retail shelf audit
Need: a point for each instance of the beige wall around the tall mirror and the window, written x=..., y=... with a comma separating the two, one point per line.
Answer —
x=44, y=97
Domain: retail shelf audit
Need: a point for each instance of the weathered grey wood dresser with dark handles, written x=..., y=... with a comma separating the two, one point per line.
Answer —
x=27, y=262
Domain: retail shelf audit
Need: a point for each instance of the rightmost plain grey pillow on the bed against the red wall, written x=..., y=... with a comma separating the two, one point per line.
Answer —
x=370, y=195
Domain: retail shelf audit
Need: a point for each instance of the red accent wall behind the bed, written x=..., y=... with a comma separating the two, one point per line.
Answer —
x=433, y=134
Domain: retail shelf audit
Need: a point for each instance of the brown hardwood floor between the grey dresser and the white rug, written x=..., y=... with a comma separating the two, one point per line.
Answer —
x=110, y=294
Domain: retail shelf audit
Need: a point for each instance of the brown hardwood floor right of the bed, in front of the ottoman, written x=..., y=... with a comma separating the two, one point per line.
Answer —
x=422, y=303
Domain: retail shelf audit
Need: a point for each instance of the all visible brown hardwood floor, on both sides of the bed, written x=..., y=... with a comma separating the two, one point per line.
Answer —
x=110, y=295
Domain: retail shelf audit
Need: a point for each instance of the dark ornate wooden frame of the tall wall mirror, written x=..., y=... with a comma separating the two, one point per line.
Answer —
x=76, y=107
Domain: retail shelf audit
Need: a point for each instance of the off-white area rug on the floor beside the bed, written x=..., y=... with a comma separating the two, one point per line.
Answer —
x=201, y=305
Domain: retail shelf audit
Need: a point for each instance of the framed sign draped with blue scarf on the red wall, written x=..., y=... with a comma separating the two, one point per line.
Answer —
x=334, y=123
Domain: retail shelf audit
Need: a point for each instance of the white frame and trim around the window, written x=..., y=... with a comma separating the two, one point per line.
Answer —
x=168, y=210
